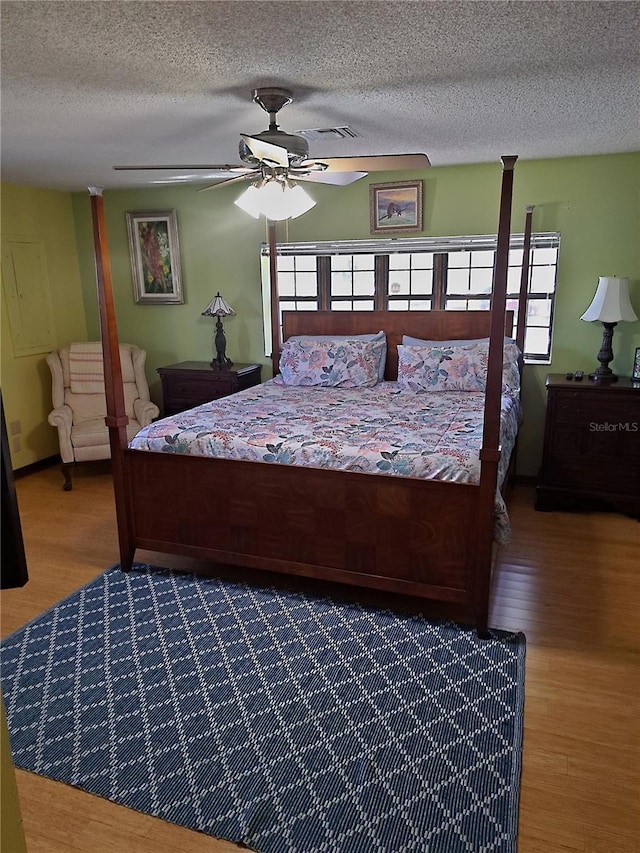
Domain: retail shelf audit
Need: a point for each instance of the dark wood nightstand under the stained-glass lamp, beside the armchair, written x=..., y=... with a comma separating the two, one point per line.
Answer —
x=191, y=383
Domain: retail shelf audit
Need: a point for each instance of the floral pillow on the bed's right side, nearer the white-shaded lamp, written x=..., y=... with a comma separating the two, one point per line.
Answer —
x=445, y=368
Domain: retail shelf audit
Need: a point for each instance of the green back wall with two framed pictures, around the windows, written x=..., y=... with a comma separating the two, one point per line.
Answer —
x=593, y=201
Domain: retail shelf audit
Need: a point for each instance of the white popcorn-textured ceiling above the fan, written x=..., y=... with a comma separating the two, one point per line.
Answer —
x=87, y=85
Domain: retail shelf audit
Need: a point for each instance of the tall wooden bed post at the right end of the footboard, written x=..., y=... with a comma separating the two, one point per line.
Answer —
x=490, y=452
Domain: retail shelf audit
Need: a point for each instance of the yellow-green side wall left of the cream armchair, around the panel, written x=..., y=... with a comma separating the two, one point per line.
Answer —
x=26, y=380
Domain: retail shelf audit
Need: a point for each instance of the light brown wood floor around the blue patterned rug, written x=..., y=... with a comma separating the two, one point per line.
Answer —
x=570, y=581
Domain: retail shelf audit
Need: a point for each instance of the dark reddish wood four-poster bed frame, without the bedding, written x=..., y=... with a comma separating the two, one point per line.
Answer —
x=426, y=538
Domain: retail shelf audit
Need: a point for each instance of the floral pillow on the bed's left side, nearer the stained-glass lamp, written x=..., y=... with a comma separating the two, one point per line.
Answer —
x=330, y=364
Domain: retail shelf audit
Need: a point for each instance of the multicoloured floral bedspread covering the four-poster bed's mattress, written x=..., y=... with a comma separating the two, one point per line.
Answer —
x=380, y=430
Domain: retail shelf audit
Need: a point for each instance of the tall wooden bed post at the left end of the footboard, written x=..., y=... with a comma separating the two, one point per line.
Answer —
x=116, y=419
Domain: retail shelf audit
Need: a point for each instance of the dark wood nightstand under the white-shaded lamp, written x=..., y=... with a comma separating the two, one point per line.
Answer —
x=591, y=454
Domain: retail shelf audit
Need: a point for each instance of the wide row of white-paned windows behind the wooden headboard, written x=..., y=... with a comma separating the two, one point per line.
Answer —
x=420, y=274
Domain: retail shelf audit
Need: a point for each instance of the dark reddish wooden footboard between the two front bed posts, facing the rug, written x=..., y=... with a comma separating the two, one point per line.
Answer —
x=388, y=533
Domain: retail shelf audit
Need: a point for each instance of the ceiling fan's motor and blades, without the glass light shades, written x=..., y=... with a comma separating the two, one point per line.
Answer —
x=275, y=154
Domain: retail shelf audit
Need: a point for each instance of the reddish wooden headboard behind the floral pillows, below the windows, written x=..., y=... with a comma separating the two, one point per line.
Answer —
x=430, y=325
